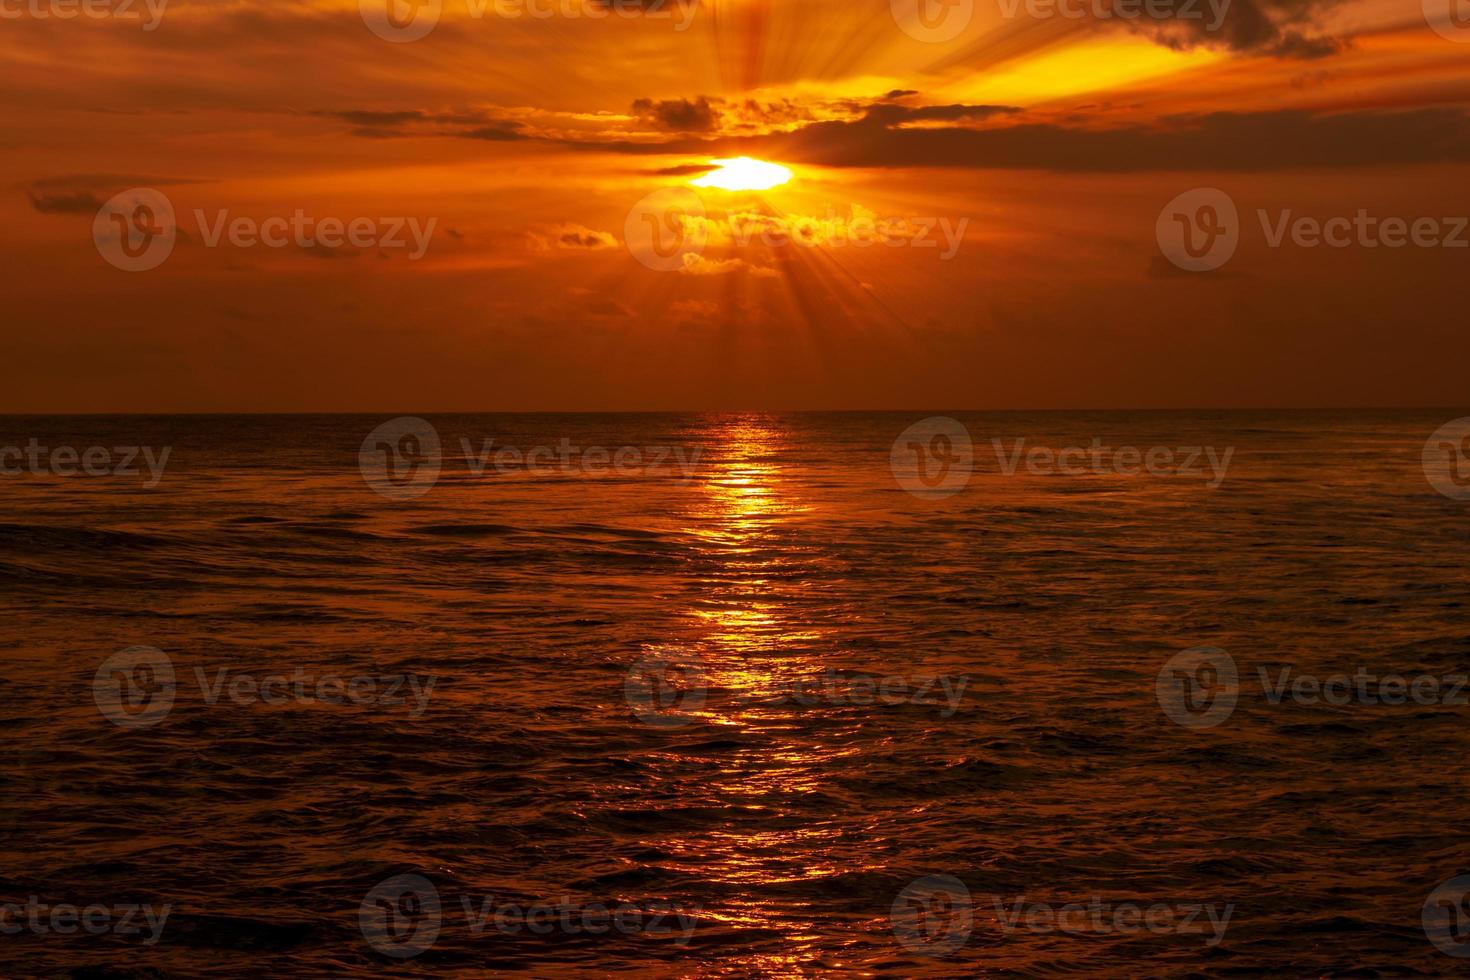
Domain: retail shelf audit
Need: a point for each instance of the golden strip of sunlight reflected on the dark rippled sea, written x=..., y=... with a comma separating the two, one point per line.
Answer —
x=755, y=649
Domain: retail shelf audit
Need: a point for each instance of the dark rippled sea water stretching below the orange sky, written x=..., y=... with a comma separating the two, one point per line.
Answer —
x=662, y=690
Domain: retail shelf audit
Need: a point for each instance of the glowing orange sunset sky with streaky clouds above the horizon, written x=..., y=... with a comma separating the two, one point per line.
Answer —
x=1049, y=148
